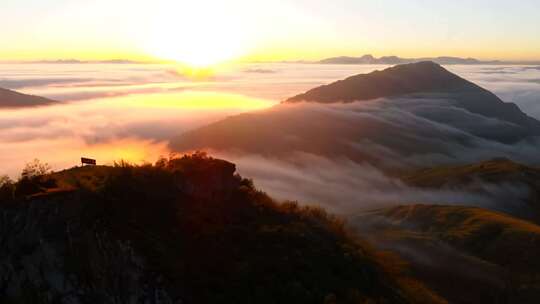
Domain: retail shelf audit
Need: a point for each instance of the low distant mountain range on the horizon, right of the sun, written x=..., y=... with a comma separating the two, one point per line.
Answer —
x=369, y=59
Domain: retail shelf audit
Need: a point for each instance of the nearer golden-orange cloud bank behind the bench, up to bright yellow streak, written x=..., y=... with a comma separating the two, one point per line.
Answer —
x=132, y=128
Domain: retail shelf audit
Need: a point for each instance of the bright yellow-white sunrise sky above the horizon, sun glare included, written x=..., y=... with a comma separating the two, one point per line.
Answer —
x=205, y=31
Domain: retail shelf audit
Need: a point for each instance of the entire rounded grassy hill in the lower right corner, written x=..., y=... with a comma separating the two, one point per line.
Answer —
x=489, y=257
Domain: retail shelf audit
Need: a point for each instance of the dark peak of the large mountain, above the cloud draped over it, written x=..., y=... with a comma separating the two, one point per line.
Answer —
x=421, y=77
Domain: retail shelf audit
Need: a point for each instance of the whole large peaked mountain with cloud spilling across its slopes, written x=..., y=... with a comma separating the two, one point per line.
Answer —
x=414, y=115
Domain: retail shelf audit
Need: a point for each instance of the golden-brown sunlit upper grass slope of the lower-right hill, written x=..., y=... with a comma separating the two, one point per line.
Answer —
x=493, y=236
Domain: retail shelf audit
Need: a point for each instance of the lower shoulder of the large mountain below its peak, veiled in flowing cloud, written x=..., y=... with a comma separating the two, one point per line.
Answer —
x=389, y=133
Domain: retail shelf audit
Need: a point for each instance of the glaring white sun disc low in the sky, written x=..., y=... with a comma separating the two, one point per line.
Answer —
x=198, y=37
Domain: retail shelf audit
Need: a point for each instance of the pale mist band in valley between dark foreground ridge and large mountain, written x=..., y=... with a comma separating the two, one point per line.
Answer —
x=345, y=187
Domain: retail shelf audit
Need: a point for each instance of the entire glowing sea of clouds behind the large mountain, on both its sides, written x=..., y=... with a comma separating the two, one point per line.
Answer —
x=139, y=107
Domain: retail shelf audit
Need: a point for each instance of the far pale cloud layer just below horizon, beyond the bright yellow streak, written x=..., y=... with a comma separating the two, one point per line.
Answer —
x=66, y=82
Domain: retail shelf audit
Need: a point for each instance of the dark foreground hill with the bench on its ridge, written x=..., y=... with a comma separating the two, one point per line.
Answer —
x=186, y=230
